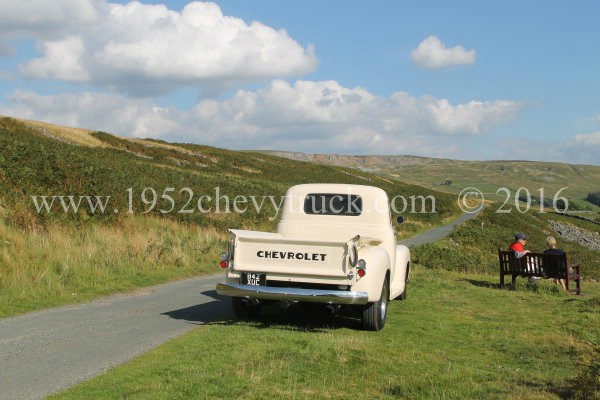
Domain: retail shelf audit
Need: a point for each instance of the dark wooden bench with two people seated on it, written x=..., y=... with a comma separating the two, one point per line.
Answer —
x=539, y=265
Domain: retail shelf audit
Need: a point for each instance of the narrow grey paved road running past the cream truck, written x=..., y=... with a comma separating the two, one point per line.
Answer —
x=50, y=350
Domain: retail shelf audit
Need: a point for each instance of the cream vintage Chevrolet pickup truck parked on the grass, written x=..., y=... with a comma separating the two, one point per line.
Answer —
x=335, y=244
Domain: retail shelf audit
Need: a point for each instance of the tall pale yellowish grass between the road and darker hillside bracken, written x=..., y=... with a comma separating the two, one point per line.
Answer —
x=66, y=264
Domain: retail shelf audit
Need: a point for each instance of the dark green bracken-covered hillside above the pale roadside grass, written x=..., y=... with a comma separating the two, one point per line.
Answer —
x=39, y=159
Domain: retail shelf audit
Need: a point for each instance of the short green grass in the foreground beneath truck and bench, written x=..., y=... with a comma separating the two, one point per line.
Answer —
x=456, y=337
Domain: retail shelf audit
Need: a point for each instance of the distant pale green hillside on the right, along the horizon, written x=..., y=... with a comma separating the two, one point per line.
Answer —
x=454, y=175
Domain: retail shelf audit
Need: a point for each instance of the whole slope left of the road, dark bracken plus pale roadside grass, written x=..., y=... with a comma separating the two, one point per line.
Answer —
x=58, y=258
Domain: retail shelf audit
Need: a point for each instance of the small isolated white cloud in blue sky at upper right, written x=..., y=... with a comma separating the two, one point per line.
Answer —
x=432, y=54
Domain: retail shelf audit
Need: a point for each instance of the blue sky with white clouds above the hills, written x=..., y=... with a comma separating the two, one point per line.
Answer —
x=470, y=80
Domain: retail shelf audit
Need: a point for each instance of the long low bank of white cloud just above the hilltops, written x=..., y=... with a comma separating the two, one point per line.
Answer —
x=304, y=116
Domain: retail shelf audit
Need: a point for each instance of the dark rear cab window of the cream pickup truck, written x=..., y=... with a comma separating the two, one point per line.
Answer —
x=333, y=204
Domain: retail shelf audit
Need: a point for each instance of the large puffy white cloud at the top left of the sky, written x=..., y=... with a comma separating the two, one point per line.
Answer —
x=145, y=49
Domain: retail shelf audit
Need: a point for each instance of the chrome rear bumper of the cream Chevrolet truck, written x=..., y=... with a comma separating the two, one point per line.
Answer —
x=292, y=294
